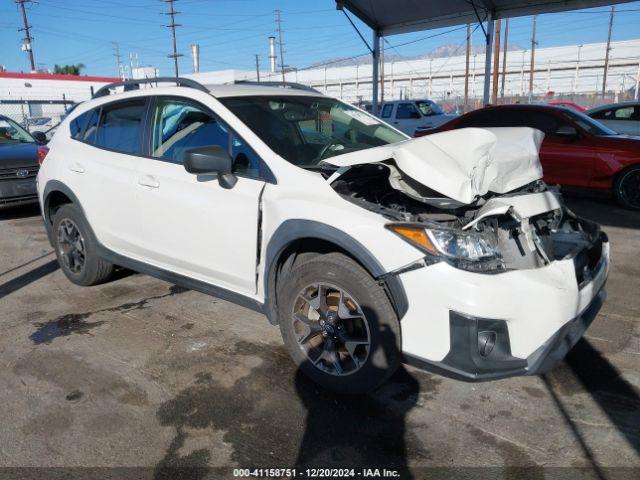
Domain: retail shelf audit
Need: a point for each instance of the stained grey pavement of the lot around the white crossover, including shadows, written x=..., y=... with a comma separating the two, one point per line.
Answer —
x=141, y=373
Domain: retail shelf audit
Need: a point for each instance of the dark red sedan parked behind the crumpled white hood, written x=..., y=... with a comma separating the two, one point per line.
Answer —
x=577, y=151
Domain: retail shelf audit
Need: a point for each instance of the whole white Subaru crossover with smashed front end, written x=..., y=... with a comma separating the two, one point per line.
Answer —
x=367, y=248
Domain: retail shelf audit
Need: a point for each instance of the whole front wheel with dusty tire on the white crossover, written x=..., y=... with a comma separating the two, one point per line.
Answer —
x=356, y=309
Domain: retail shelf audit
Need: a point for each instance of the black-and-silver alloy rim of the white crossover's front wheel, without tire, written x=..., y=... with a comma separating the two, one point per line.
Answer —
x=331, y=329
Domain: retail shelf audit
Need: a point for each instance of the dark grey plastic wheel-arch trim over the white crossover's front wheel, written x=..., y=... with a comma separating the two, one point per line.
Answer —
x=298, y=229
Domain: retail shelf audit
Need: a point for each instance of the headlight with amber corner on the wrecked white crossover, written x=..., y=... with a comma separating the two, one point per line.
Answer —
x=468, y=250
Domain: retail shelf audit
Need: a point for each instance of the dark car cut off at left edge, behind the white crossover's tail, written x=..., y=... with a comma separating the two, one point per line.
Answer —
x=20, y=155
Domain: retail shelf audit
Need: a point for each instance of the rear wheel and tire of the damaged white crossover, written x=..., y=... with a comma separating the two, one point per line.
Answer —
x=82, y=267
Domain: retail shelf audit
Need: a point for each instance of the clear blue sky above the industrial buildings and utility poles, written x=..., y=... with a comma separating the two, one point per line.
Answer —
x=231, y=32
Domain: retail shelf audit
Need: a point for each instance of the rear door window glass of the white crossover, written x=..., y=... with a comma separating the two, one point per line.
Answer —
x=119, y=127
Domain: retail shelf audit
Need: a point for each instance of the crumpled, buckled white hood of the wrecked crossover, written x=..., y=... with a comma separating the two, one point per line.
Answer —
x=460, y=164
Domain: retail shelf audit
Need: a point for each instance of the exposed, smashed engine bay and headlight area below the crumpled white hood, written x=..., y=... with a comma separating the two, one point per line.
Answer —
x=523, y=229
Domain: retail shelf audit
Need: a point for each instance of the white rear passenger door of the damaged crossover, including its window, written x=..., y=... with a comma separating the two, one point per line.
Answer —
x=102, y=171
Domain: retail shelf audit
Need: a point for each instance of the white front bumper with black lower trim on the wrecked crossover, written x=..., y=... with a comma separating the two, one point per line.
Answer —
x=478, y=327
